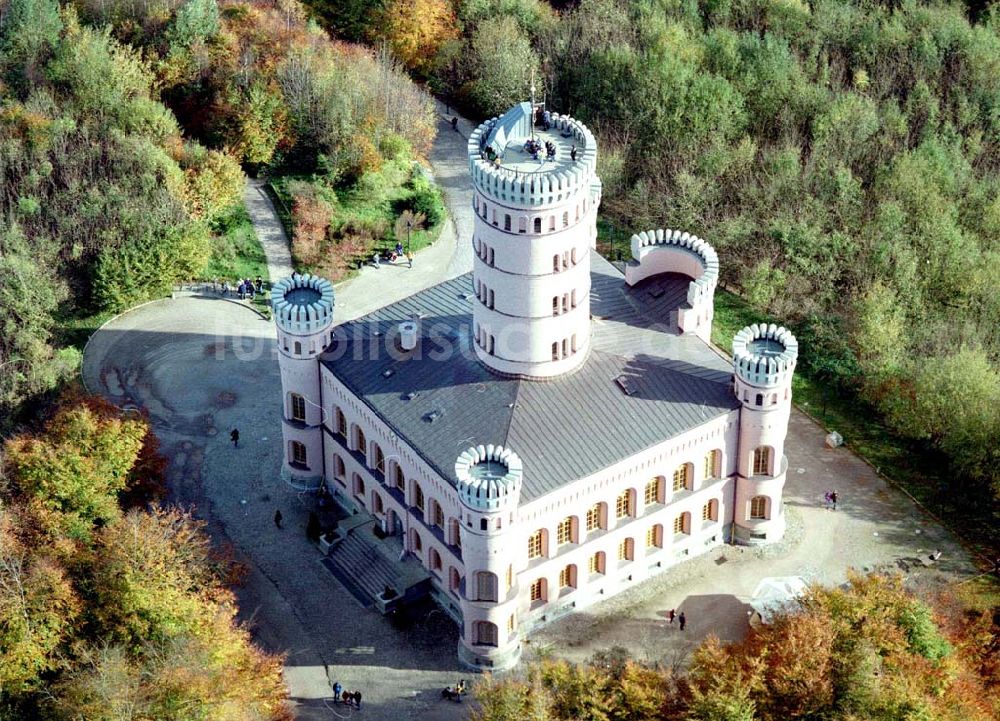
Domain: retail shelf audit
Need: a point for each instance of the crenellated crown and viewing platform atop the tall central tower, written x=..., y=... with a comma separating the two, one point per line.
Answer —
x=541, y=186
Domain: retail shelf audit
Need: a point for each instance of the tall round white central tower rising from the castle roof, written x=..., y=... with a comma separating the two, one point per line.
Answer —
x=535, y=223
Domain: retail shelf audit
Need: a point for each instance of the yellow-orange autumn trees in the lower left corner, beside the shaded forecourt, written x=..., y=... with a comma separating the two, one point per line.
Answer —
x=109, y=611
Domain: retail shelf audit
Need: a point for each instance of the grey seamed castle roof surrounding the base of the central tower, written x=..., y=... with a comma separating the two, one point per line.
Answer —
x=563, y=429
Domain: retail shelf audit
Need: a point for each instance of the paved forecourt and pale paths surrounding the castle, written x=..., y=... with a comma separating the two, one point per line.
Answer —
x=204, y=365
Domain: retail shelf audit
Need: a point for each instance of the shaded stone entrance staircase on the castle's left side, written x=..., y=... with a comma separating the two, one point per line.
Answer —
x=365, y=565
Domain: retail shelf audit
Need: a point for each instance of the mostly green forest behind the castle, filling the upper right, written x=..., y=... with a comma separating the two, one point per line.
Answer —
x=842, y=156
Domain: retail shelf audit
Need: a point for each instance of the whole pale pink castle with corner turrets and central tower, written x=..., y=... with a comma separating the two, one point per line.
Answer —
x=549, y=429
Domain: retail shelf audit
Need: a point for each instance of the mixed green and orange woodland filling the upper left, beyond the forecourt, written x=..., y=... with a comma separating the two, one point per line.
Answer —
x=123, y=129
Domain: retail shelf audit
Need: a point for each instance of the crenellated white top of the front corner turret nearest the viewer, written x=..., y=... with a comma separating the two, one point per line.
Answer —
x=489, y=477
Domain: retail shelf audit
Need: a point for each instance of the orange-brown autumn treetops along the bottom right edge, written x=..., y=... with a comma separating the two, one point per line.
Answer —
x=868, y=651
